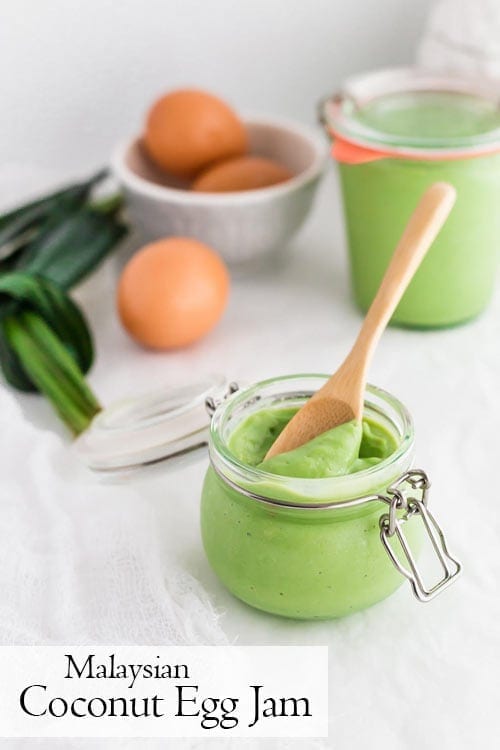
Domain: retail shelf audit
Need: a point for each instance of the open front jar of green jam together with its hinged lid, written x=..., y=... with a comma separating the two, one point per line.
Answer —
x=303, y=548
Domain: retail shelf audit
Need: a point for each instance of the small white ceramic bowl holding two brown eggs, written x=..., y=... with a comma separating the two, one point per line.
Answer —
x=244, y=226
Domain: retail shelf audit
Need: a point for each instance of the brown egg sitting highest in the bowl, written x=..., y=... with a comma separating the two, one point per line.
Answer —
x=188, y=129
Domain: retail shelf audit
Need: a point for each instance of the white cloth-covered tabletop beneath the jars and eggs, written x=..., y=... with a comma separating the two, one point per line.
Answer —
x=402, y=674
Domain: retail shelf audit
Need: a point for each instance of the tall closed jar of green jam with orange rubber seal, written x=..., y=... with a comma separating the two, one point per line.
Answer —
x=394, y=133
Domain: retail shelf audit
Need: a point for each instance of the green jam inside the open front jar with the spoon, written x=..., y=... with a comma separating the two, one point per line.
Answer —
x=303, y=562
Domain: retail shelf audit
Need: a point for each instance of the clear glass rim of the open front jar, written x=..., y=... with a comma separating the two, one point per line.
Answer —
x=300, y=485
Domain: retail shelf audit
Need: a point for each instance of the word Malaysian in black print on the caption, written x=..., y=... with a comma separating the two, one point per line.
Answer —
x=111, y=669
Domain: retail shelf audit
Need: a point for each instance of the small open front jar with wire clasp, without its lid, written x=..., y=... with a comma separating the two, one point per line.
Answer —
x=313, y=548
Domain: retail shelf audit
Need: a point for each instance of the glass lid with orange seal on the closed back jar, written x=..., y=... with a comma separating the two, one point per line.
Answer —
x=414, y=113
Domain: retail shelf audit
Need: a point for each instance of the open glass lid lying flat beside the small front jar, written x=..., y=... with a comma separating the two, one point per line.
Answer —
x=150, y=428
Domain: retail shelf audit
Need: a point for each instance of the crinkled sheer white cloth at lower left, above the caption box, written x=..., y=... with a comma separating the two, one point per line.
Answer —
x=80, y=561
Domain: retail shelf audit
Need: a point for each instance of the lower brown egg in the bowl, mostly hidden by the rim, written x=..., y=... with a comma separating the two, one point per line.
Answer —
x=242, y=173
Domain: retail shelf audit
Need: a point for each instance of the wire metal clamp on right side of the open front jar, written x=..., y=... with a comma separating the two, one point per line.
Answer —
x=402, y=506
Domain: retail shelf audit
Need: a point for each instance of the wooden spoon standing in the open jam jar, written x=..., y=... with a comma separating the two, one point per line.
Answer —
x=342, y=397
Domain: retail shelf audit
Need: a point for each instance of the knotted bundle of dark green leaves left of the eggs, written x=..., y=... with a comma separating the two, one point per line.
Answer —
x=46, y=247
